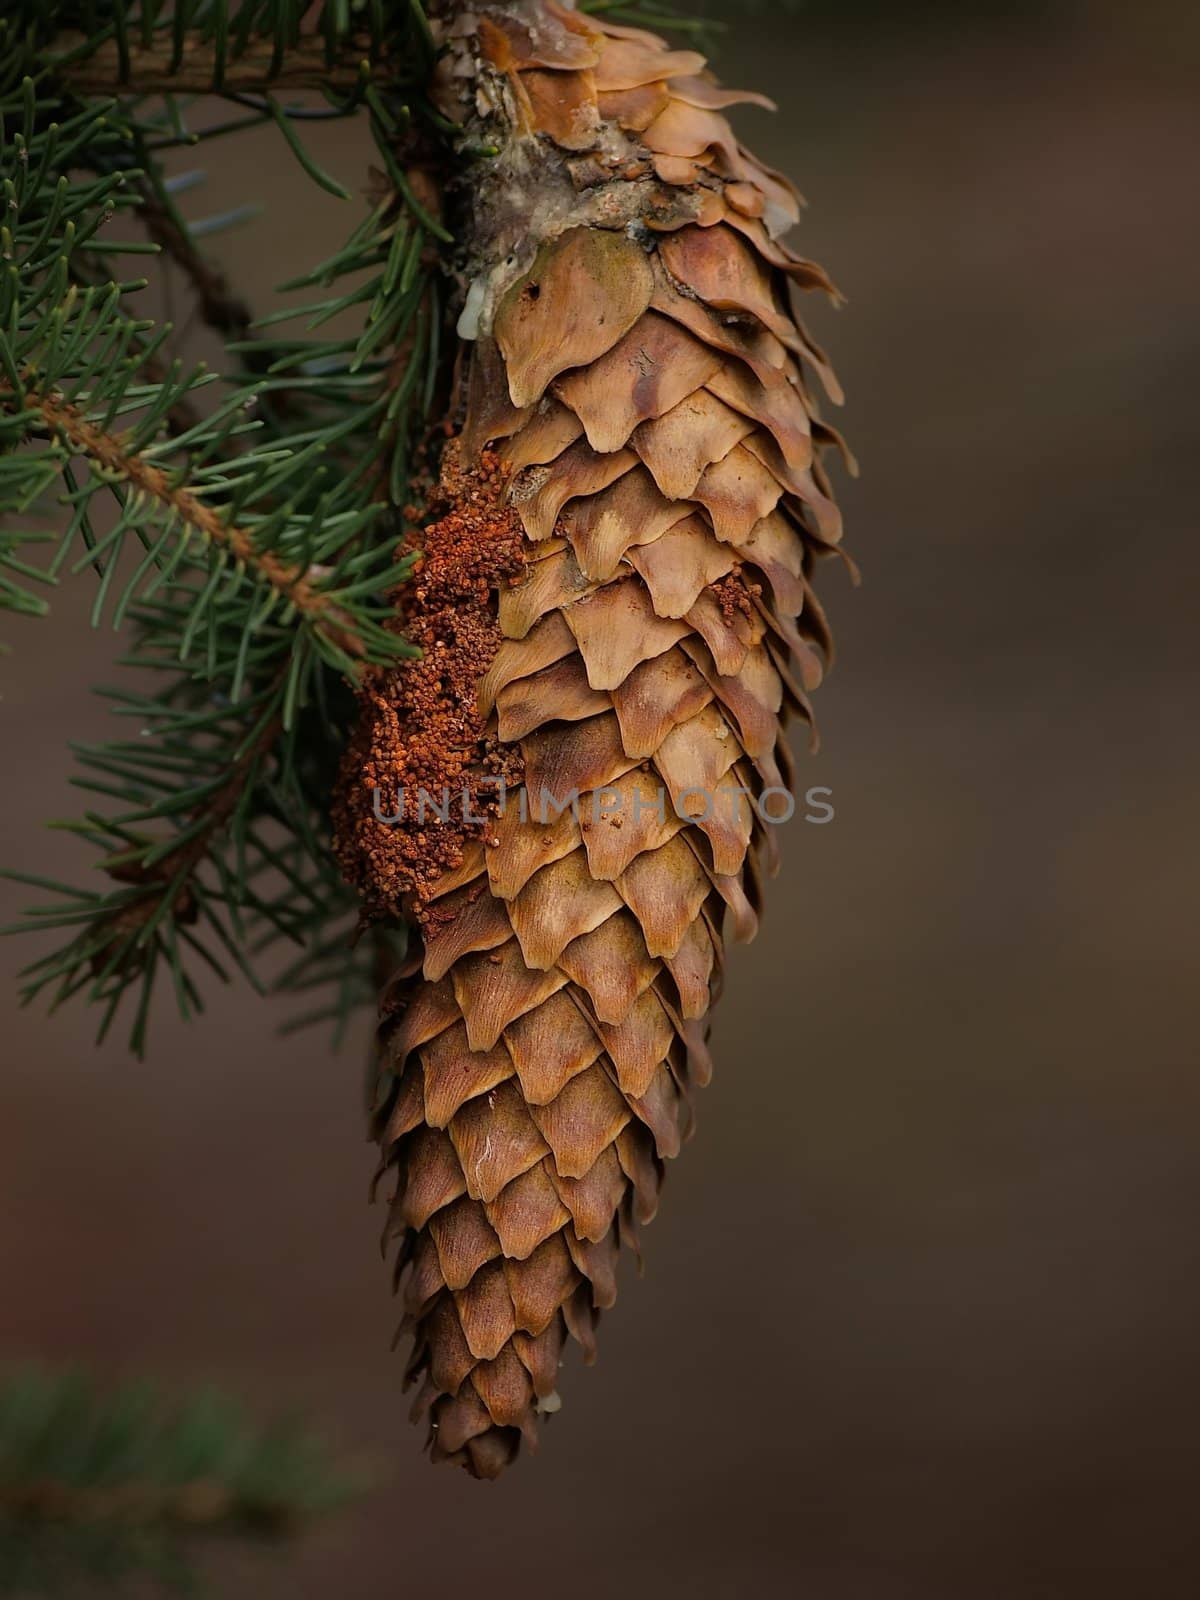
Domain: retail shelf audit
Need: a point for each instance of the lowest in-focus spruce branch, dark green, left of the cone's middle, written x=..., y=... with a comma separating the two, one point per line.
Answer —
x=210, y=847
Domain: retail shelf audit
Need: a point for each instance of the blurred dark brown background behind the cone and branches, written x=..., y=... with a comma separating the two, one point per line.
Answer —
x=922, y=1306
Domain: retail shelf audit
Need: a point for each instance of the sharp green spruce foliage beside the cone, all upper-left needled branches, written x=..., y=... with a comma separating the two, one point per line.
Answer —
x=242, y=527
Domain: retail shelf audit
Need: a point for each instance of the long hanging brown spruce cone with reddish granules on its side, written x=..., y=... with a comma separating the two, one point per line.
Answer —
x=617, y=617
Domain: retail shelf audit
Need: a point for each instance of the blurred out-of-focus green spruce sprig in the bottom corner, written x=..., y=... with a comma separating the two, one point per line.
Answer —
x=98, y=1486
